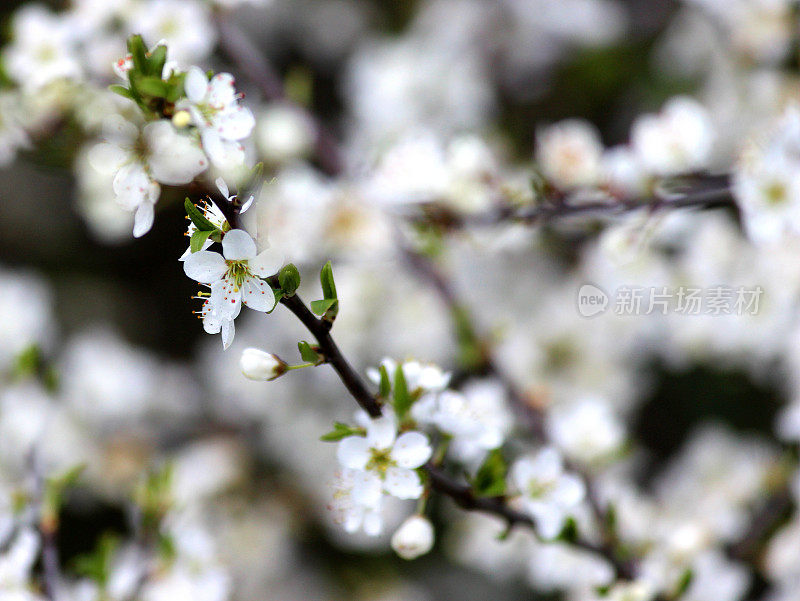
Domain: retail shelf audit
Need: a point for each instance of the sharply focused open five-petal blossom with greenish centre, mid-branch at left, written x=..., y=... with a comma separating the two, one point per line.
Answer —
x=235, y=276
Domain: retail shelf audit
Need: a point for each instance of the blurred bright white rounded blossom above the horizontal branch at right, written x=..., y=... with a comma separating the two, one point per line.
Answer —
x=678, y=139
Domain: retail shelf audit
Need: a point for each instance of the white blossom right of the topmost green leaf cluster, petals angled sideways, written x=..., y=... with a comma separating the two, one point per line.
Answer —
x=222, y=121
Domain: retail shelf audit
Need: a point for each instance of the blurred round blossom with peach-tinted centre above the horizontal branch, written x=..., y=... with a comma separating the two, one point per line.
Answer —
x=569, y=153
